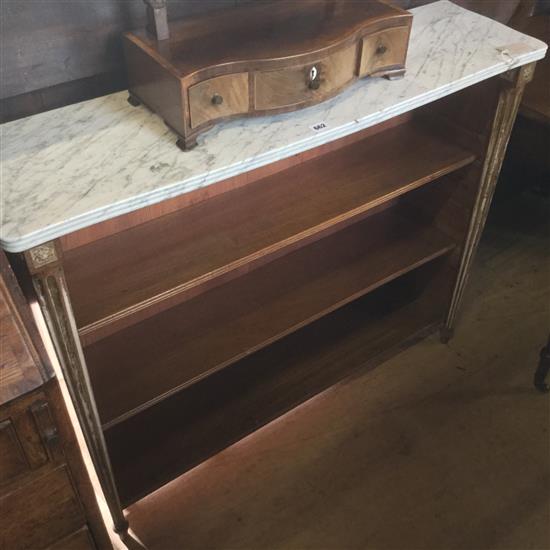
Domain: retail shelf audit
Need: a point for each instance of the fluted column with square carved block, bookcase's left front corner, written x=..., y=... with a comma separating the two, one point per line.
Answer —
x=44, y=263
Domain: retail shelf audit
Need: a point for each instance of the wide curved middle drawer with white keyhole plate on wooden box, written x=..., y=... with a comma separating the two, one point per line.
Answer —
x=291, y=86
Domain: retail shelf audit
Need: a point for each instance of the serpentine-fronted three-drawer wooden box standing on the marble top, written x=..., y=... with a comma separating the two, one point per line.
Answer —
x=269, y=57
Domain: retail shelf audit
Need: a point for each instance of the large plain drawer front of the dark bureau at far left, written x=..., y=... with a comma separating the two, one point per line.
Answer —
x=40, y=512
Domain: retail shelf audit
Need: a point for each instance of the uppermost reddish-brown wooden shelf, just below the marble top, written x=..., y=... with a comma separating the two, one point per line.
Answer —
x=122, y=279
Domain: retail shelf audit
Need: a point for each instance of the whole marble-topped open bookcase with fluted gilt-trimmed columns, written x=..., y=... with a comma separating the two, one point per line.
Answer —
x=194, y=298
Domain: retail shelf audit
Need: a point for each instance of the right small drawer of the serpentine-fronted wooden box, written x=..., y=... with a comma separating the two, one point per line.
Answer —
x=383, y=50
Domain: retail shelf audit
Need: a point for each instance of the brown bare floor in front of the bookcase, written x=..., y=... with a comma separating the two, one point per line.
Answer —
x=442, y=447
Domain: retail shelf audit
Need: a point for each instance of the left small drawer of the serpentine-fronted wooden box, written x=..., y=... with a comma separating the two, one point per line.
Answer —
x=218, y=97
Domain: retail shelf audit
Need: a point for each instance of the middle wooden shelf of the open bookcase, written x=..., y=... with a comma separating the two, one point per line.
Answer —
x=179, y=346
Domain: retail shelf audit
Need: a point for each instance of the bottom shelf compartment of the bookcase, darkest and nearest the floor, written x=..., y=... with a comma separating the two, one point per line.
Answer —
x=158, y=444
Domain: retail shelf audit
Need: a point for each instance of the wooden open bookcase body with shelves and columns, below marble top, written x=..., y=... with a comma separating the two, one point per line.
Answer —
x=187, y=325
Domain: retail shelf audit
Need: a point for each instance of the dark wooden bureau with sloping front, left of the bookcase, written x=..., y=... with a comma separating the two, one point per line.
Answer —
x=46, y=498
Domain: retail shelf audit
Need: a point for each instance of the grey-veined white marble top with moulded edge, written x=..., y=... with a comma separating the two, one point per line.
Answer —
x=79, y=165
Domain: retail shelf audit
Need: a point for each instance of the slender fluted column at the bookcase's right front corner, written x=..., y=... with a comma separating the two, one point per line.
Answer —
x=505, y=115
